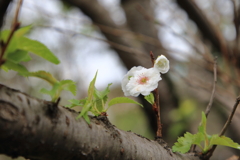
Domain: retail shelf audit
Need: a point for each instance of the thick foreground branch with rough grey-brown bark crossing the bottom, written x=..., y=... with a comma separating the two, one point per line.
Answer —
x=39, y=129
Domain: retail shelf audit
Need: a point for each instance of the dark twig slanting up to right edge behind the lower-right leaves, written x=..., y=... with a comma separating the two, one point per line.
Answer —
x=210, y=152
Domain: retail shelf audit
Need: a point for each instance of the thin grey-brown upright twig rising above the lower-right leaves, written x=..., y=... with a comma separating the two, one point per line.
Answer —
x=207, y=111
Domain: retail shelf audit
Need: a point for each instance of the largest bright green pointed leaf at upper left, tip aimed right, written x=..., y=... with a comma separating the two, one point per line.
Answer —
x=37, y=48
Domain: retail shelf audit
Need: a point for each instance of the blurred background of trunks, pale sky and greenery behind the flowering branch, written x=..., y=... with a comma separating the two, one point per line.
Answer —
x=112, y=36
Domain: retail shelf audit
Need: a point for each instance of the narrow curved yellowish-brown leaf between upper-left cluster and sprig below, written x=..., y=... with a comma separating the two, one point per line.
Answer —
x=43, y=75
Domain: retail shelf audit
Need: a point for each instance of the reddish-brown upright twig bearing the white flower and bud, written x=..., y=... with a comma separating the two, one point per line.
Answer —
x=156, y=106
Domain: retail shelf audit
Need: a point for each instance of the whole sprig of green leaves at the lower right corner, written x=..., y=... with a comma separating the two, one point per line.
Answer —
x=202, y=140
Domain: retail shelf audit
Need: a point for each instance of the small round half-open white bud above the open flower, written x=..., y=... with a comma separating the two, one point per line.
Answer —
x=162, y=64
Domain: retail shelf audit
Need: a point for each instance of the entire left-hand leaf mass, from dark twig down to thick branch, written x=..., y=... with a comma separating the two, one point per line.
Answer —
x=18, y=51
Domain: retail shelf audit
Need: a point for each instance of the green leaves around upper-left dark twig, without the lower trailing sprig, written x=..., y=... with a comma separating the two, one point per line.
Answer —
x=19, y=48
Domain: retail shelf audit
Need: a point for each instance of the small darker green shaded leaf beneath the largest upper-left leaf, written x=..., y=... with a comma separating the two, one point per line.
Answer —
x=18, y=56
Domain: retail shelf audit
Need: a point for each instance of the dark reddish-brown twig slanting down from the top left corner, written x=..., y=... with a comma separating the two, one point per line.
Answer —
x=15, y=26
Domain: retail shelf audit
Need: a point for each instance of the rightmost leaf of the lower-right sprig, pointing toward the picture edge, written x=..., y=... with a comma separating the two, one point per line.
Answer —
x=224, y=141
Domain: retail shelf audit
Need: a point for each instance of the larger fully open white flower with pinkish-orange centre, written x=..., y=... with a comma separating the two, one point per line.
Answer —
x=140, y=80
